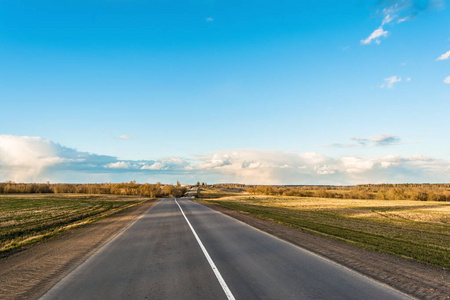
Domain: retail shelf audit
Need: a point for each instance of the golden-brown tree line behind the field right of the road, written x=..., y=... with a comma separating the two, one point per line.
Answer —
x=421, y=192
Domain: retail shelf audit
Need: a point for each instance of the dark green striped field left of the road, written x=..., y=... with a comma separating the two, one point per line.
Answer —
x=25, y=219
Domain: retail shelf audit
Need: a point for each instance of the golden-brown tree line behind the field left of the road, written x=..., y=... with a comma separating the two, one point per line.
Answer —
x=124, y=188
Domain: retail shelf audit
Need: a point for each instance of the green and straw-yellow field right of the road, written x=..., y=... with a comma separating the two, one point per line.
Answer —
x=417, y=230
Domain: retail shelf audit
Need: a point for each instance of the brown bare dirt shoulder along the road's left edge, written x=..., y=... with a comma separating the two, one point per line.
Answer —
x=30, y=273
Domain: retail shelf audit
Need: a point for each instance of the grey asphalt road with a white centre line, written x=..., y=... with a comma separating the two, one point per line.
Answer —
x=160, y=257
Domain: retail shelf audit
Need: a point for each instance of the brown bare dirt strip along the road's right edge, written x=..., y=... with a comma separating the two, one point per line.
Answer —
x=414, y=278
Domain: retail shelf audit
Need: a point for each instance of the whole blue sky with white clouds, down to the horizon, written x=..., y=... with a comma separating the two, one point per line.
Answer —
x=255, y=92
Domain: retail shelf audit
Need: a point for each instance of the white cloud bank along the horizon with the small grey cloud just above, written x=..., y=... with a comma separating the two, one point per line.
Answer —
x=36, y=159
